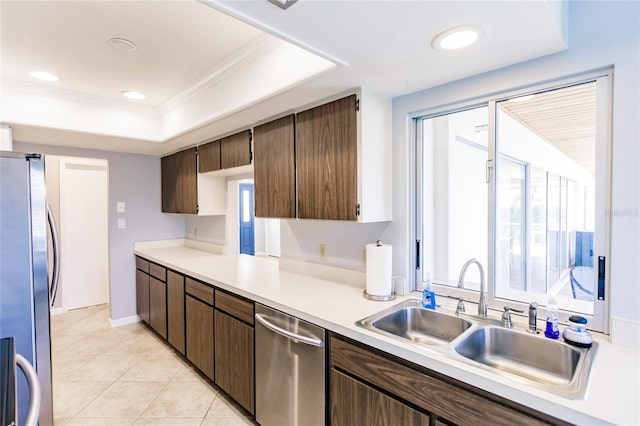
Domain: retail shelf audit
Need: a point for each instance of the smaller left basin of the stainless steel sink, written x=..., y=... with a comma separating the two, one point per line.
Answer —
x=410, y=321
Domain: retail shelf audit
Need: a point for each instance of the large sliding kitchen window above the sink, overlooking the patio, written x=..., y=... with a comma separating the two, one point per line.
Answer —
x=519, y=182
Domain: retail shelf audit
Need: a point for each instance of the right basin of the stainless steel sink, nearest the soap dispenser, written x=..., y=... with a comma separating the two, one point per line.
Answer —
x=552, y=365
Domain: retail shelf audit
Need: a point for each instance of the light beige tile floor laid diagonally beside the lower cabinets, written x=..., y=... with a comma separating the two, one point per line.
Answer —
x=128, y=376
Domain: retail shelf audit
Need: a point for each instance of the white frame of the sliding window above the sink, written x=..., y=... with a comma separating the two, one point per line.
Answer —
x=599, y=321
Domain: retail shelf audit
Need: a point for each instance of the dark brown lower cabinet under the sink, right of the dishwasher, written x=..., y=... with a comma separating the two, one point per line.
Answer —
x=366, y=382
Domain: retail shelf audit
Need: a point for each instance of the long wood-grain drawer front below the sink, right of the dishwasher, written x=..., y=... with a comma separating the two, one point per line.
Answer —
x=446, y=400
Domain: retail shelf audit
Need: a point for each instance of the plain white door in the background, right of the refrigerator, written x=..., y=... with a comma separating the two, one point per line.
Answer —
x=84, y=231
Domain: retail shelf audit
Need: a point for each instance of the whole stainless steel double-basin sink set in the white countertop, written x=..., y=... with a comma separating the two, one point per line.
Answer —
x=552, y=365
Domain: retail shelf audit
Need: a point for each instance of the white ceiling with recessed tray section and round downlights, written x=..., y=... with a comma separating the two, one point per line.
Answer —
x=205, y=73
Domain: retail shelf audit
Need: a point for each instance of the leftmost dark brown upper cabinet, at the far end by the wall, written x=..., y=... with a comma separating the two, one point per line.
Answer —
x=179, y=182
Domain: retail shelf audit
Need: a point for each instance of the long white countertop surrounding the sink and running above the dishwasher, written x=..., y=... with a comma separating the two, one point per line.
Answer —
x=614, y=388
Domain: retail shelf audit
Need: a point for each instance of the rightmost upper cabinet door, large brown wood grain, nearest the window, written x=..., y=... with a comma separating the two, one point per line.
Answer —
x=326, y=161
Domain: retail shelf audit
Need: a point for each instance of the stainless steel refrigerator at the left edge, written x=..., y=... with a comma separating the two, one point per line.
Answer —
x=24, y=284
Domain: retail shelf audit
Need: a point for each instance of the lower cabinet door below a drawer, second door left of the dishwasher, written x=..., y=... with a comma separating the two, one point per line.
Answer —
x=200, y=343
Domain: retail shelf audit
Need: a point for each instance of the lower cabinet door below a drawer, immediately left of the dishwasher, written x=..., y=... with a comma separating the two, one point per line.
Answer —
x=234, y=359
